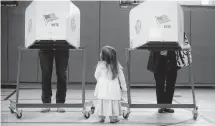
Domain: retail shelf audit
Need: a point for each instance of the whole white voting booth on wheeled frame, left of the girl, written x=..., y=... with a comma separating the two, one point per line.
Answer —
x=52, y=25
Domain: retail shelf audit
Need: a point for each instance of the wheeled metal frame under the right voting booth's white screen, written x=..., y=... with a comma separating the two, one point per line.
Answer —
x=191, y=82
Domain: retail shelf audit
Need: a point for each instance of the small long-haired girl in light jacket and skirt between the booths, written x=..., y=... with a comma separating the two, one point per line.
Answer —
x=110, y=79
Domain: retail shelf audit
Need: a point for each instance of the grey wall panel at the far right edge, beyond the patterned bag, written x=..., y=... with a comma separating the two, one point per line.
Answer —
x=203, y=44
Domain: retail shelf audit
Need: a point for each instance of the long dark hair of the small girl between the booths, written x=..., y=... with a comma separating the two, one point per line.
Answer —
x=108, y=54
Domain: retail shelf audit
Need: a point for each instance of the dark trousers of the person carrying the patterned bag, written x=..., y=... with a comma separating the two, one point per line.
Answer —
x=165, y=76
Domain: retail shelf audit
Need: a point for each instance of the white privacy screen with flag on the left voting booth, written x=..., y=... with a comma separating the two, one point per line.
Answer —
x=52, y=23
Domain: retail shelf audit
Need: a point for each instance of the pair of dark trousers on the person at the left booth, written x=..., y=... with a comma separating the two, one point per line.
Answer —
x=46, y=63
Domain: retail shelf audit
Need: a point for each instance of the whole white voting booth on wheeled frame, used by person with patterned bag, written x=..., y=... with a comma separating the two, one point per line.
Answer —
x=157, y=25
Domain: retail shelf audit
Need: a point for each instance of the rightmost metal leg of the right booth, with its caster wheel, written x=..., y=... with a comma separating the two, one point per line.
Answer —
x=195, y=109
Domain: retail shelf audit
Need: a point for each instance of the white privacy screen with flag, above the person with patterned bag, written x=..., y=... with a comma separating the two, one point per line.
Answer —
x=156, y=24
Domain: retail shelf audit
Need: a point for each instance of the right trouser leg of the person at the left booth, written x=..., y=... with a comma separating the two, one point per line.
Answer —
x=61, y=61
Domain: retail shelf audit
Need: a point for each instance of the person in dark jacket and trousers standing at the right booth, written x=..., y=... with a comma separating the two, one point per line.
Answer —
x=164, y=66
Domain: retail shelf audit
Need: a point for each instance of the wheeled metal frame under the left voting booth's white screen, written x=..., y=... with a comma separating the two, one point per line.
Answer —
x=14, y=106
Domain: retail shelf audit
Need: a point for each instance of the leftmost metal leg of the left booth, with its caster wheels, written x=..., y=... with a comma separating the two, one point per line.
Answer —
x=13, y=108
